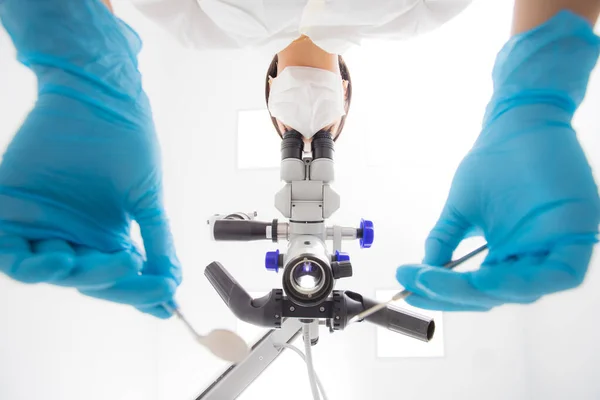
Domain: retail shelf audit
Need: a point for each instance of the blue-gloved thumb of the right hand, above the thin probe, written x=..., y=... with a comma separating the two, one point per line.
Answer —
x=445, y=237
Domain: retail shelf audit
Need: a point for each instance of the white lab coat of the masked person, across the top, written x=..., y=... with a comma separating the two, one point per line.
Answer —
x=334, y=25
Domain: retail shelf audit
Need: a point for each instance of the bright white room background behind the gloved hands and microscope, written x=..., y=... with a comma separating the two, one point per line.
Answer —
x=417, y=108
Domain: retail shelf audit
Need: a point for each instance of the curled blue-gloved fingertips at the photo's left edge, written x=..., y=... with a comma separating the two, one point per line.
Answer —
x=19, y=262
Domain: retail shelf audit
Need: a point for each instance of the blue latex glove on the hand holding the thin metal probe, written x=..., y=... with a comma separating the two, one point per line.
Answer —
x=526, y=184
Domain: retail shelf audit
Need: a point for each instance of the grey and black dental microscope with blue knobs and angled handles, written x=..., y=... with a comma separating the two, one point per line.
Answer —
x=309, y=268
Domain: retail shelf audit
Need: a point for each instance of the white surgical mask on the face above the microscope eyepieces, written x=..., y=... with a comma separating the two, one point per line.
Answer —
x=307, y=99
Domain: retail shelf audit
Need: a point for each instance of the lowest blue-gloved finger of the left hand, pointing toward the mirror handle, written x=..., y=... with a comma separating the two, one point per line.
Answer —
x=140, y=291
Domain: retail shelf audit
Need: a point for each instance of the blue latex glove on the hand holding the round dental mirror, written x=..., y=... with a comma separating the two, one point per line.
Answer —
x=85, y=162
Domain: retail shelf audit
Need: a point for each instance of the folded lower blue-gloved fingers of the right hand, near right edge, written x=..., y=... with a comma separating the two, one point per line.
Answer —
x=526, y=278
